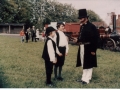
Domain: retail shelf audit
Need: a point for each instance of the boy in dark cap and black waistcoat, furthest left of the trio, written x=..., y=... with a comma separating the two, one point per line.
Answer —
x=50, y=52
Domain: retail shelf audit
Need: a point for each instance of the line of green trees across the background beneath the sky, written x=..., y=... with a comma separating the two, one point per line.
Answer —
x=39, y=12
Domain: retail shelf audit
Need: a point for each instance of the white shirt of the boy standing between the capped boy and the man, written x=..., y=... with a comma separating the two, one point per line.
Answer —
x=62, y=40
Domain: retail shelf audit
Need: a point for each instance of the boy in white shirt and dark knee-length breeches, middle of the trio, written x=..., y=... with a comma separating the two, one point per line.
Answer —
x=62, y=44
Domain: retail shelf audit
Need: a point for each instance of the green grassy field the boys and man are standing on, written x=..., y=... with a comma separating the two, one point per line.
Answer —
x=21, y=66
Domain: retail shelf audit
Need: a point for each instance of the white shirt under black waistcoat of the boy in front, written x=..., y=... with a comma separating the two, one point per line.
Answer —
x=51, y=51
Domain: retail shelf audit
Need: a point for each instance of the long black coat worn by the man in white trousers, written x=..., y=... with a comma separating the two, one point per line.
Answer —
x=88, y=33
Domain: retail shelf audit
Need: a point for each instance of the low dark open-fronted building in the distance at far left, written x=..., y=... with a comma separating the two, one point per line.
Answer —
x=11, y=28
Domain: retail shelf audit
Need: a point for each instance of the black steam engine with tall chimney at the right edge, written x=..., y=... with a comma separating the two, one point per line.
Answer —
x=110, y=39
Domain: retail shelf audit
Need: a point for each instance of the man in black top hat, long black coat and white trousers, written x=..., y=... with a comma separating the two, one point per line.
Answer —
x=88, y=40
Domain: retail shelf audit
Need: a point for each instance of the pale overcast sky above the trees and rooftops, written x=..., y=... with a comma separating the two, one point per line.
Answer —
x=101, y=7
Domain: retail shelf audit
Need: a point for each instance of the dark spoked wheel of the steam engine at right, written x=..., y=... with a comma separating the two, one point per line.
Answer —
x=109, y=44
